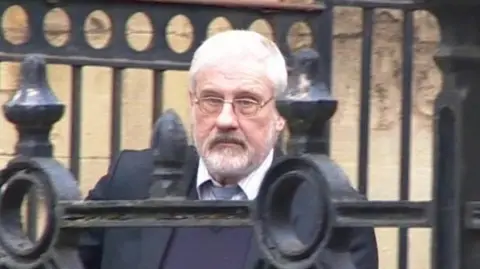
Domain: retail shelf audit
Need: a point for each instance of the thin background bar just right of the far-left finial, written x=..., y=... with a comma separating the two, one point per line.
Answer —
x=76, y=118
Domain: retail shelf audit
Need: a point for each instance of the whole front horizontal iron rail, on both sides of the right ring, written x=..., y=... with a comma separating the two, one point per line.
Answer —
x=187, y=213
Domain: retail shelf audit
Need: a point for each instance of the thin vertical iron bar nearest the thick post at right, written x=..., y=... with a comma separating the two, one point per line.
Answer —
x=407, y=70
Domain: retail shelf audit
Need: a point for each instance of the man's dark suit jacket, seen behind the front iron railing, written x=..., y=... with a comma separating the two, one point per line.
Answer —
x=132, y=248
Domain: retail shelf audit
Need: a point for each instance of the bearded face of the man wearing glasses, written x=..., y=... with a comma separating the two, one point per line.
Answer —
x=233, y=132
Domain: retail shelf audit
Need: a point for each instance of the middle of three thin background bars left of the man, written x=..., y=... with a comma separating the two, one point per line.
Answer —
x=116, y=120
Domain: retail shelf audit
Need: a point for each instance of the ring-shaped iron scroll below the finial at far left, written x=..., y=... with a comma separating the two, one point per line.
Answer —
x=18, y=178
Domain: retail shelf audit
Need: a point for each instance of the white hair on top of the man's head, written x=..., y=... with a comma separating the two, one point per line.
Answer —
x=235, y=44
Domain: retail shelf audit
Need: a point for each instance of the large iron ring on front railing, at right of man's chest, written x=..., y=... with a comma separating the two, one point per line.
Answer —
x=274, y=230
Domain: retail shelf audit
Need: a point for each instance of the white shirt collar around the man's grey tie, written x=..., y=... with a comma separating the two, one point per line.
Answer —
x=249, y=185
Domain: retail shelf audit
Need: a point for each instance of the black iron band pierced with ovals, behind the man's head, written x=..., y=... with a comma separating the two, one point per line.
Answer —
x=84, y=34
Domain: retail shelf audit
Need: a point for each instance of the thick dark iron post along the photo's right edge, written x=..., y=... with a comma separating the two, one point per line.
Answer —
x=457, y=147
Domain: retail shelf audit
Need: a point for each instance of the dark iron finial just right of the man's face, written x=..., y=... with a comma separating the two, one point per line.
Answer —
x=307, y=104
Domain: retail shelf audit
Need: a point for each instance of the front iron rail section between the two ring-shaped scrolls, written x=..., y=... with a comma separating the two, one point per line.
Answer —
x=154, y=213
